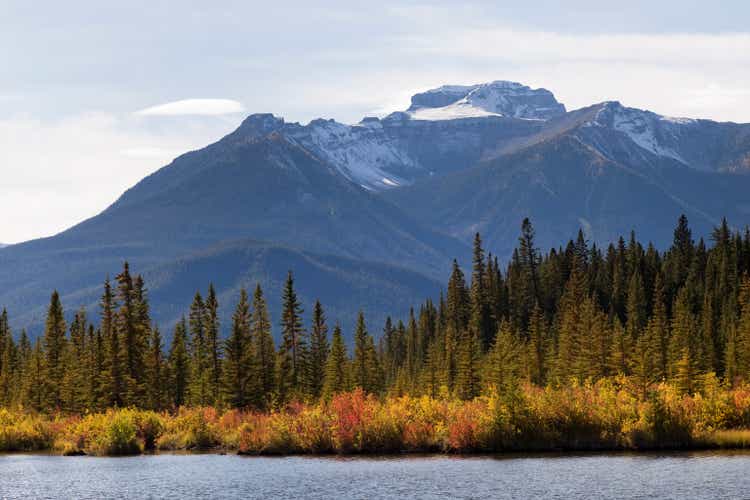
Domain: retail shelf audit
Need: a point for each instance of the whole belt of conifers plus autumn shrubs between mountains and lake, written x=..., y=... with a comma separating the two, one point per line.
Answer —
x=580, y=347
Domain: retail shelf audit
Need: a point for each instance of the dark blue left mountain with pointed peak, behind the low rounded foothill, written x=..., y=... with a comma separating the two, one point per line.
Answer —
x=264, y=188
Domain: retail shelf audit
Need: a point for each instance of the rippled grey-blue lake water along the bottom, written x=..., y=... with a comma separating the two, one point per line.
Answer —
x=679, y=475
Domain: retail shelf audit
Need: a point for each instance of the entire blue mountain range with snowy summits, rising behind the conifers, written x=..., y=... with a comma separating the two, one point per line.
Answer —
x=374, y=212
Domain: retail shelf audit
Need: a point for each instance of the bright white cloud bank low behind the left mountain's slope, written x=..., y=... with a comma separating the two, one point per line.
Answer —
x=58, y=173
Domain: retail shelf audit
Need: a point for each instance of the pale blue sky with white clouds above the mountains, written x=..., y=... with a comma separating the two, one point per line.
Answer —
x=93, y=97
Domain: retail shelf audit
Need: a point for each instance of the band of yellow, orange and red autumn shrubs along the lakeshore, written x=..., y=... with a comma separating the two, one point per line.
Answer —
x=603, y=416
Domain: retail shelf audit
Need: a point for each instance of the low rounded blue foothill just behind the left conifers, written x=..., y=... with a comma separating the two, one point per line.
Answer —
x=343, y=285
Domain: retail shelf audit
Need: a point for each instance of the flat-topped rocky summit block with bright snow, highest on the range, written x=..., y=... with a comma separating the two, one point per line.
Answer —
x=498, y=98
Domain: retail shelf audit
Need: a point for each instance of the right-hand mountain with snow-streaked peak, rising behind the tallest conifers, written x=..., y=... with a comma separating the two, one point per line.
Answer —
x=607, y=169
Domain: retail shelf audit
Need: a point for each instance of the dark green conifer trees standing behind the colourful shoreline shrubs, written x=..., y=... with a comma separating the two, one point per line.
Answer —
x=577, y=313
